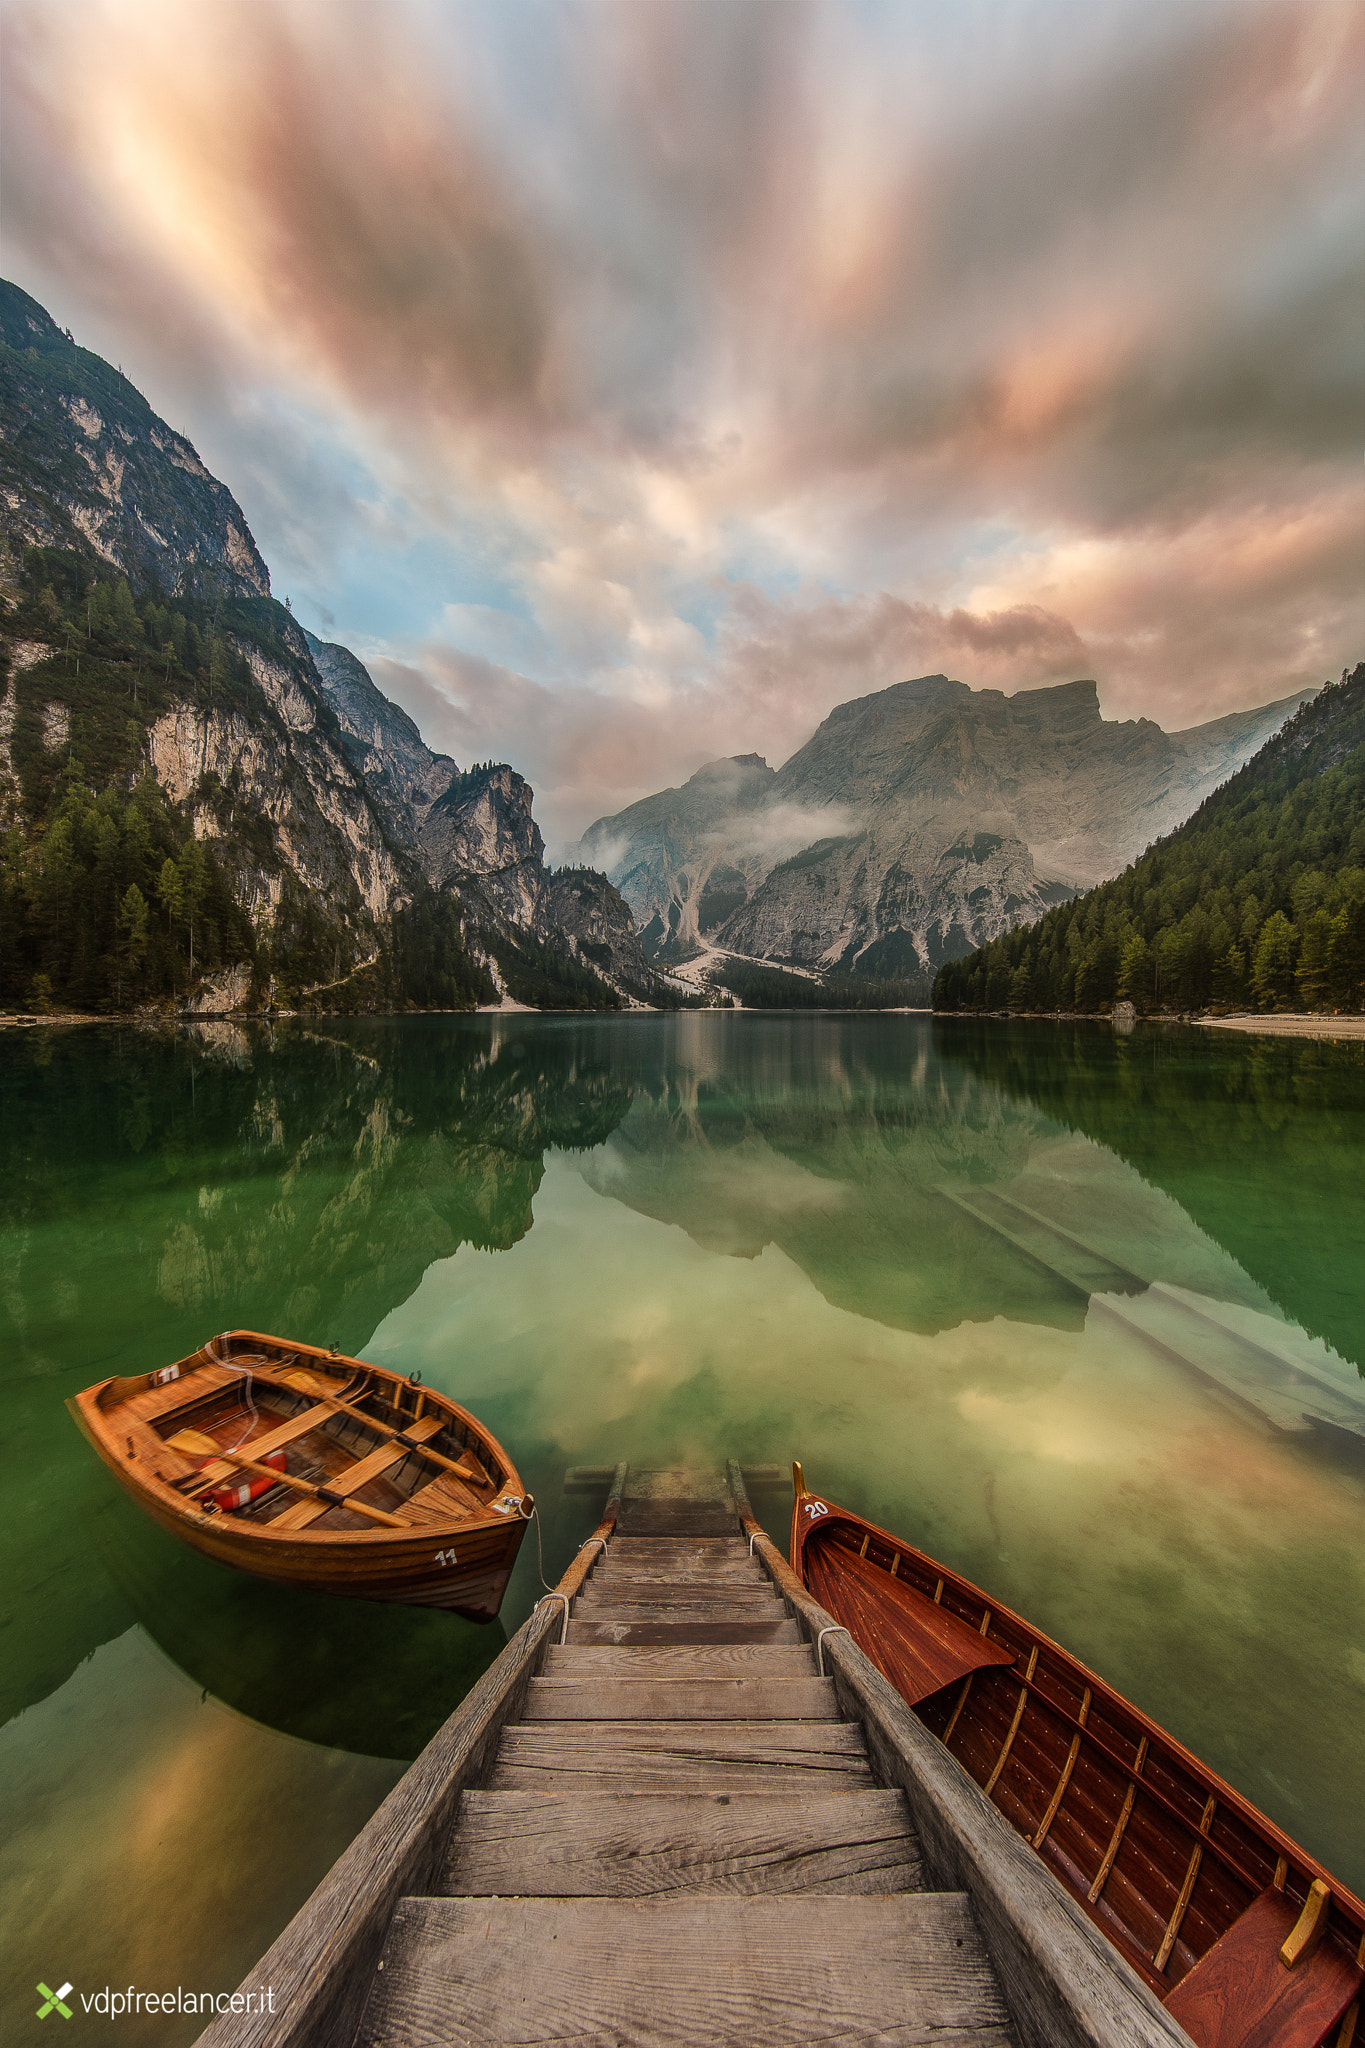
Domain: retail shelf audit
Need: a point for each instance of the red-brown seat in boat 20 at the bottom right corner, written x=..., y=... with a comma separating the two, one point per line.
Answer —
x=1241, y=1996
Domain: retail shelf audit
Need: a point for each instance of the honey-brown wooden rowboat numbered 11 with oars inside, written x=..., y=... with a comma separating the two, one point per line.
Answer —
x=316, y=1469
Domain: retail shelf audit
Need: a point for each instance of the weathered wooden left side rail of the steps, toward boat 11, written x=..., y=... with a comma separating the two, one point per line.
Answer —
x=322, y=1965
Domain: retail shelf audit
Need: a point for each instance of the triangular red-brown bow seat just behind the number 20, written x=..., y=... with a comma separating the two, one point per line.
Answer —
x=914, y=1644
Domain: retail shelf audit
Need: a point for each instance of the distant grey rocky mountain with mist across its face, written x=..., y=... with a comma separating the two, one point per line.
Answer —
x=914, y=824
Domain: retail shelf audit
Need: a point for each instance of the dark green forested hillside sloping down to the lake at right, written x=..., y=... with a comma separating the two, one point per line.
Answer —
x=1256, y=904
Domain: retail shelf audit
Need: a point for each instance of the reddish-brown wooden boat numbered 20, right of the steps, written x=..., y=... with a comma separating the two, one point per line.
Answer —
x=1245, y=1938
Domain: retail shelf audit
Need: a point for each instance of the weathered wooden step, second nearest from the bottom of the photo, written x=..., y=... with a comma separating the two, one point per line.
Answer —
x=640, y=1844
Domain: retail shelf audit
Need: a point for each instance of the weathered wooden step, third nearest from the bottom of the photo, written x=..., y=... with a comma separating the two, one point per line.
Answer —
x=680, y=1756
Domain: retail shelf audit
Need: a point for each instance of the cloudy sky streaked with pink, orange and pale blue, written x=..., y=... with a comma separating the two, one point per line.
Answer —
x=629, y=382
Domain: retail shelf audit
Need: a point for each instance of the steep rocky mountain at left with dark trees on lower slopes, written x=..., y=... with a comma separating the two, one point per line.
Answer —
x=204, y=804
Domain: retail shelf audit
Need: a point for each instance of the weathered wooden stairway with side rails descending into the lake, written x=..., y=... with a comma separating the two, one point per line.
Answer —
x=678, y=1814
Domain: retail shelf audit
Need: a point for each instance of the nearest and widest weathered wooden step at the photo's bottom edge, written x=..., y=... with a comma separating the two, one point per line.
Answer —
x=748, y=1973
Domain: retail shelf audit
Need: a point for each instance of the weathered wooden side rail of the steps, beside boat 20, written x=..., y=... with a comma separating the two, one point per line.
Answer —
x=1065, y=1986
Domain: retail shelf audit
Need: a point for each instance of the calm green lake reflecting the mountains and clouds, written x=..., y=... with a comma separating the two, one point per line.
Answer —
x=1080, y=1314
